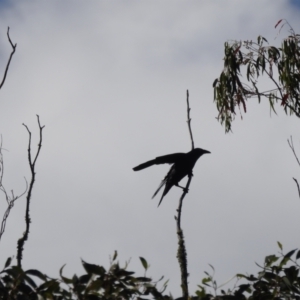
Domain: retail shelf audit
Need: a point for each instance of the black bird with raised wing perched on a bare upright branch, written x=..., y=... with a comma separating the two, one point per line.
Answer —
x=183, y=164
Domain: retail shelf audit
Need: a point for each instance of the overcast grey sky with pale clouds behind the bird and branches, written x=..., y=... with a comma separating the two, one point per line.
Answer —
x=108, y=80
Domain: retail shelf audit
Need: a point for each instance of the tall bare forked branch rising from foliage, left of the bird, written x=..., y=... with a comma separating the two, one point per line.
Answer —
x=24, y=238
